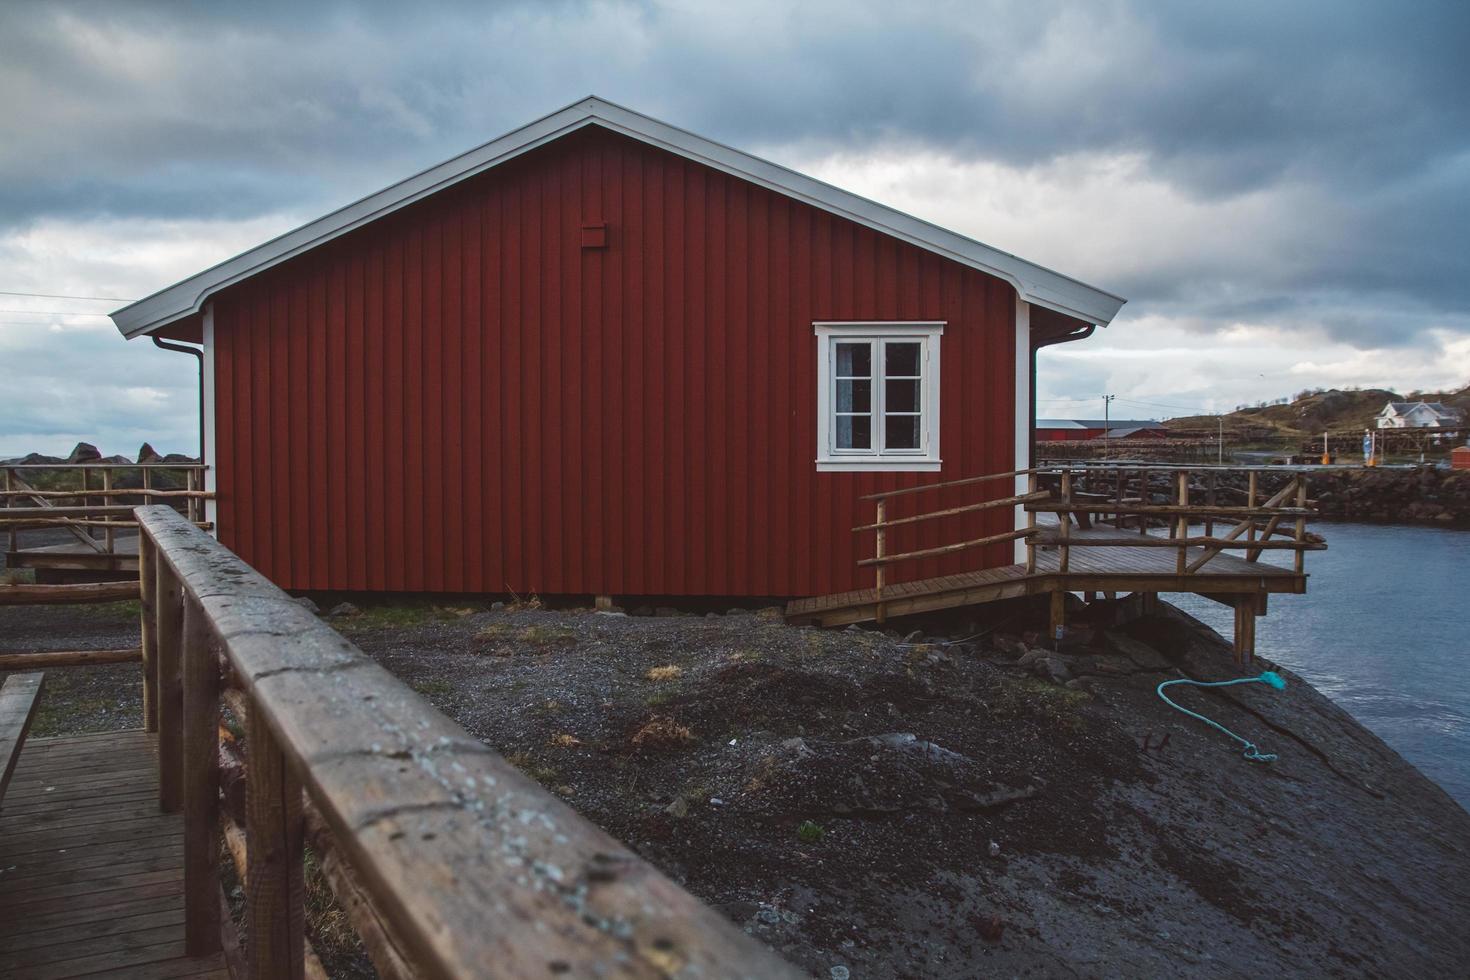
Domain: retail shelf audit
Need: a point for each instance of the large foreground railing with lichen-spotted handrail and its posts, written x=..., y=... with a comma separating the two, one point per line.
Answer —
x=448, y=860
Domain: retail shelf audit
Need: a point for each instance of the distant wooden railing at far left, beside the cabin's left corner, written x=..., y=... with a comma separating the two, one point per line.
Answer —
x=86, y=500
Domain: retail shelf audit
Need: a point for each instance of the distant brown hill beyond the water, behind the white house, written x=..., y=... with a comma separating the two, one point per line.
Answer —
x=1316, y=412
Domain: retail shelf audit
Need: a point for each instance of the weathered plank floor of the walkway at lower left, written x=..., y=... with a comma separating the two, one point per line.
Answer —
x=92, y=875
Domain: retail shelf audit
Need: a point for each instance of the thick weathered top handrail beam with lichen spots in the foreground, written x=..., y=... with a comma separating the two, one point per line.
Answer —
x=458, y=849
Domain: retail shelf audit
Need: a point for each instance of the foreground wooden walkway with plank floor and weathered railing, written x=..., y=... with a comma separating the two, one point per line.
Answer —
x=267, y=734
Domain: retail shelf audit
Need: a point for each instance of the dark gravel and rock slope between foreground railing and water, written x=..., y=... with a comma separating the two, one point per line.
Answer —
x=939, y=809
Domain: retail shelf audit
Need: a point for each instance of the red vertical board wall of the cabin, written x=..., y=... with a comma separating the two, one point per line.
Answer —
x=462, y=399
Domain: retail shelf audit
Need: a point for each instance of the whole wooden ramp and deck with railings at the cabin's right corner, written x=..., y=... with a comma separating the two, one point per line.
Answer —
x=1100, y=530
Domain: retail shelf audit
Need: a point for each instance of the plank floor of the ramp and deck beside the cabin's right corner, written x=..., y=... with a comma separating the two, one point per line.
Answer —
x=1090, y=569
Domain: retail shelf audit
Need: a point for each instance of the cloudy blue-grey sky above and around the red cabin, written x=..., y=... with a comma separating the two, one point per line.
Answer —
x=1281, y=190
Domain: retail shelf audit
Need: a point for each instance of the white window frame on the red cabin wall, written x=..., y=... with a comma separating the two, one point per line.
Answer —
x=880, y=459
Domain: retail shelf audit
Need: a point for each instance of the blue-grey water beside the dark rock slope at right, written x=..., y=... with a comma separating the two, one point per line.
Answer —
x=1385, y=633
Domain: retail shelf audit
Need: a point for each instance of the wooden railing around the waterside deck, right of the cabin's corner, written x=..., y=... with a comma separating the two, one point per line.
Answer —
x=1124, y=494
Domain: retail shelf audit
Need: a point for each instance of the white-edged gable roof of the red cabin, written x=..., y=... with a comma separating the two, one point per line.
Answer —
x=1036, y=284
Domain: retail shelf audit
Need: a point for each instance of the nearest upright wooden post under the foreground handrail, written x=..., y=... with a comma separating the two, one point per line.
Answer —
x=274, y=882
